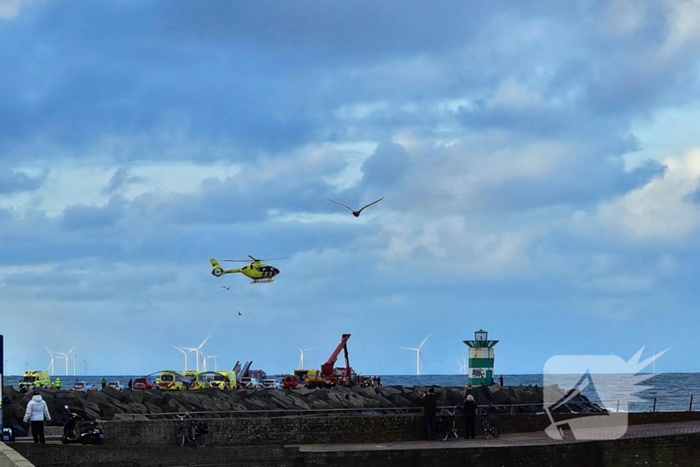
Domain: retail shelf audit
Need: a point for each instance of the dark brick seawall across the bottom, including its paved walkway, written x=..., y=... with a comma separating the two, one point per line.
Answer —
x=654, y=438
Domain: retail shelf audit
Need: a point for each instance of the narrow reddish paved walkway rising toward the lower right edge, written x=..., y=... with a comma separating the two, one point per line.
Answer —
x=538, y=438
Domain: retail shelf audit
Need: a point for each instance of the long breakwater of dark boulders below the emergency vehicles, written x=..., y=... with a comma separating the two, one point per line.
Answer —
x=108, y=404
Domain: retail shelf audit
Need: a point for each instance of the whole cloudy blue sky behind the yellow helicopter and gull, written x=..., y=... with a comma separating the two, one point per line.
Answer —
x=539, y=163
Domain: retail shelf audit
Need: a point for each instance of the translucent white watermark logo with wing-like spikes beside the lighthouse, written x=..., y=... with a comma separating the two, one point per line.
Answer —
x=607, y=380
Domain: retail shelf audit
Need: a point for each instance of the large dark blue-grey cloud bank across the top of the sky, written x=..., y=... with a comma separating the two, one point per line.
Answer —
x=264, y=77
